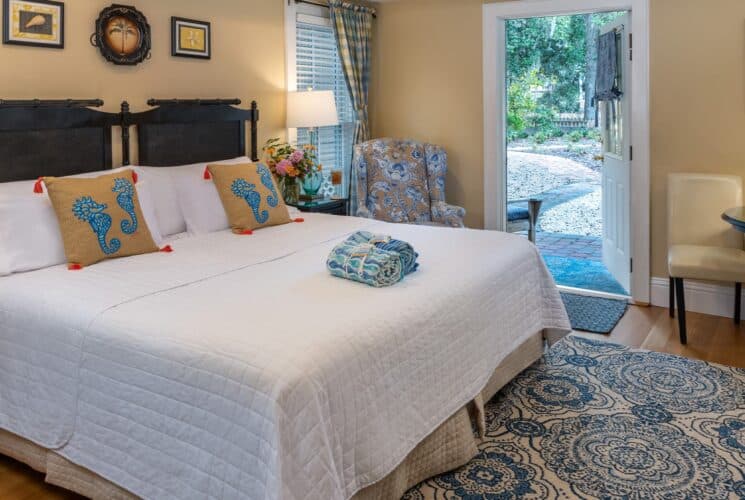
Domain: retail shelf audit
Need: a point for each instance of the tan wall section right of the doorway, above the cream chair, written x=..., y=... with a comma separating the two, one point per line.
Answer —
x=698, y=98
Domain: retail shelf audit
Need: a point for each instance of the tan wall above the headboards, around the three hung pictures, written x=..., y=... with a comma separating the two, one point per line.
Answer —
x=248, y=60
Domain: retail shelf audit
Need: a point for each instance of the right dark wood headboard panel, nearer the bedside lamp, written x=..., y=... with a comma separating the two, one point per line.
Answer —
x=184, y=131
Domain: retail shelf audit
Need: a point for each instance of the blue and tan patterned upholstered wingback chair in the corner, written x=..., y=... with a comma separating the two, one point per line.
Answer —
x=402, y=181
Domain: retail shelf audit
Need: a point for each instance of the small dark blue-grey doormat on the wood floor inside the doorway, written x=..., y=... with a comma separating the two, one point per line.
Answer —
x=593, y=314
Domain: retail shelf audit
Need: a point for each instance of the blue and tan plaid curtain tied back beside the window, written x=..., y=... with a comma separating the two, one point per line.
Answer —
x=353, y=29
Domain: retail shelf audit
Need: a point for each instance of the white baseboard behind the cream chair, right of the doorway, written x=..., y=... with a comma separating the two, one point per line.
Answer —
x=706, y=298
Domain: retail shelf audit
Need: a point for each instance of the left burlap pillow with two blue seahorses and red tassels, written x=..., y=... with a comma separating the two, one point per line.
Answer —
x=99, y=218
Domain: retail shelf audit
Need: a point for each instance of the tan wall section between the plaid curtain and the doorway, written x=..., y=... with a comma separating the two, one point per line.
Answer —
x=426, y=84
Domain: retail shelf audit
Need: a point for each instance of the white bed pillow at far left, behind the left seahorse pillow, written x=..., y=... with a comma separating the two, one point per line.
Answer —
x=30, y=238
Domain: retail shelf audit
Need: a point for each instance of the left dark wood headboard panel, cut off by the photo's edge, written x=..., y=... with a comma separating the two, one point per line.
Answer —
x=53, y=137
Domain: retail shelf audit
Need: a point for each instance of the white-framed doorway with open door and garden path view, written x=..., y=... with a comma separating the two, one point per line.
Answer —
x=594, y=187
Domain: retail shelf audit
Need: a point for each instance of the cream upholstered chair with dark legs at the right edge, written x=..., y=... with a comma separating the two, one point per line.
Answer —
x=701, y=245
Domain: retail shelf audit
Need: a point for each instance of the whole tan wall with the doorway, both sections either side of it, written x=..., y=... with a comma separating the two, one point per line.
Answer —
x=427, y=84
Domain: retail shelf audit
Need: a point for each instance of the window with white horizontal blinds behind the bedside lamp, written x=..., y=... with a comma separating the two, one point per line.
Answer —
x=318, y=67
